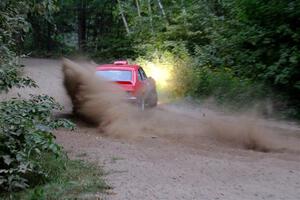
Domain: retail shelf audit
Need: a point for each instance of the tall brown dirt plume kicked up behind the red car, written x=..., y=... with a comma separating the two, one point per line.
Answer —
x=98, y=101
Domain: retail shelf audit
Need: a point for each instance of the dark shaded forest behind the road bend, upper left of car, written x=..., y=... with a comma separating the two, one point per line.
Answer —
x=59, y=31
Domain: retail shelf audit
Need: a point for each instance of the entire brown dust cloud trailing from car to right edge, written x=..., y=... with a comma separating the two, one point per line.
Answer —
x=102, y=103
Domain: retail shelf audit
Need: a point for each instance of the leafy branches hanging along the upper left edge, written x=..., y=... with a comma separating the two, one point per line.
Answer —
x=12, y=24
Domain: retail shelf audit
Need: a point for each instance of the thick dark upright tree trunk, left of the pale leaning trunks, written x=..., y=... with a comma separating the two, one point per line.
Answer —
x=81, y=9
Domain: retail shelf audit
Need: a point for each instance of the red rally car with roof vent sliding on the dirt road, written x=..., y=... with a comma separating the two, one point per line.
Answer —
x=133, y=80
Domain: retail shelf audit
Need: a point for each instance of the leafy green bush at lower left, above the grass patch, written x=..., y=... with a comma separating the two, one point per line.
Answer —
x=26, y=133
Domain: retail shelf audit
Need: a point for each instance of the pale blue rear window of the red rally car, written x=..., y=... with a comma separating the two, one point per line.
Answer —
x=115, y=75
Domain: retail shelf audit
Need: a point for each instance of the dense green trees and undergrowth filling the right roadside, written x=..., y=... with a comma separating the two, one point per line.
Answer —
x=237, y=49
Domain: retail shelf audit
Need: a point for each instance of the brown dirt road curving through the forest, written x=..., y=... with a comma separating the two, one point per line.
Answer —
x=179, y=166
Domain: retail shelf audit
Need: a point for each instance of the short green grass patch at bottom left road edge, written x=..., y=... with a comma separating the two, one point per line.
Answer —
x=68, y=179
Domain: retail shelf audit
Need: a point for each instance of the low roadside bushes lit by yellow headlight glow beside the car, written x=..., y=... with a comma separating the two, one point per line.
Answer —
x=189, y=77
